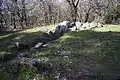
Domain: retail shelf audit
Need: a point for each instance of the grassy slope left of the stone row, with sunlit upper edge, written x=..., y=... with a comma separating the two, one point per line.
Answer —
x=26, y=36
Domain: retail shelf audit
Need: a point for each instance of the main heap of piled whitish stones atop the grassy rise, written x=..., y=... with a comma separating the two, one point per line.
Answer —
x=65, y=26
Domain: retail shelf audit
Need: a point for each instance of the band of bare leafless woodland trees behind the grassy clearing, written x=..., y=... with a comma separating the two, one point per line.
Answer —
x=24, y=13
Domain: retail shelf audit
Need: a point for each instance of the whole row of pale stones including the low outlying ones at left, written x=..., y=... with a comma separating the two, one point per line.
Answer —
x=60, y=29
